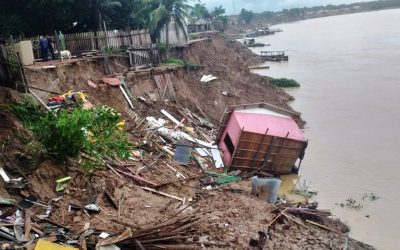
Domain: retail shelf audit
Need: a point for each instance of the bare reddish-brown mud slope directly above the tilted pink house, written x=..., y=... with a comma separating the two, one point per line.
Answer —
x=229, y=61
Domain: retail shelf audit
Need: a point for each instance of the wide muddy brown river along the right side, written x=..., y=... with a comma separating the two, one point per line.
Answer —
x=349, y=70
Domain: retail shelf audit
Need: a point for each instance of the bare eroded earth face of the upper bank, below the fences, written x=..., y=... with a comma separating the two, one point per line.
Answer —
x=228, y=60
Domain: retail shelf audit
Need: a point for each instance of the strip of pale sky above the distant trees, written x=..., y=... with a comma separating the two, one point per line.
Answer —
x=234, y=6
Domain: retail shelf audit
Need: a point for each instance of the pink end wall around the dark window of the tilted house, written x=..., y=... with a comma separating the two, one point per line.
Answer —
x=234, y=131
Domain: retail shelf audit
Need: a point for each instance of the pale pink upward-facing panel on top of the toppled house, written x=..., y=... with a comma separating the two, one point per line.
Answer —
x=258, y=121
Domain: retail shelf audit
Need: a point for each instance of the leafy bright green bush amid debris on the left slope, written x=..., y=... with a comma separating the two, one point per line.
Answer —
x=90, y=131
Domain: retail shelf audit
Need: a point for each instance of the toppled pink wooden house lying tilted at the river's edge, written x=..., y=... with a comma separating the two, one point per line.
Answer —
x=261, y=137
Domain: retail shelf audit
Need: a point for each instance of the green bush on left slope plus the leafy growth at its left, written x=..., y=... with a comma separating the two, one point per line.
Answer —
x=88, y=135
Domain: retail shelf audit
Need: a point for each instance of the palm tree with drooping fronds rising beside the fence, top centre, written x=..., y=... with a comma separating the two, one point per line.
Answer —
x=168, y=11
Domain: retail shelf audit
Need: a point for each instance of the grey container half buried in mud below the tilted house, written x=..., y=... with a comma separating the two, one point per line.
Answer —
x=265, y=188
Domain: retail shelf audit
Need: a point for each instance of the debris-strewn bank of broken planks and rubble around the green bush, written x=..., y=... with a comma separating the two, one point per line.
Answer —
x=155, y=198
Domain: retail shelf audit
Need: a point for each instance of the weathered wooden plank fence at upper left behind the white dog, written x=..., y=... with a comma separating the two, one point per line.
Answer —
x=83, y=42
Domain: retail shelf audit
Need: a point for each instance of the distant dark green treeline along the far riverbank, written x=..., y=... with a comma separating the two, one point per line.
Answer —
x=295, y=14
